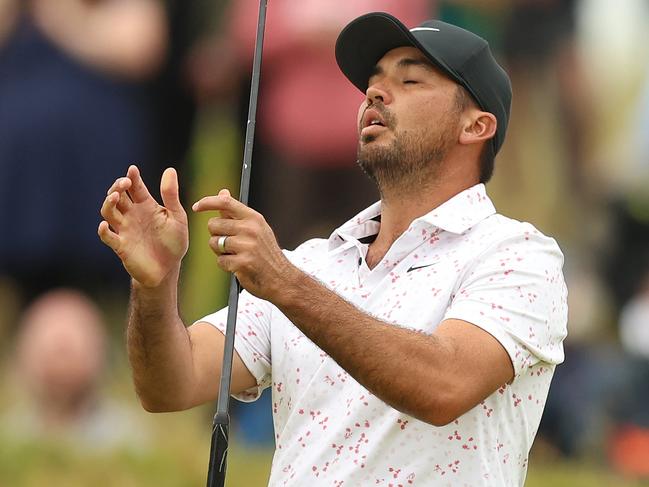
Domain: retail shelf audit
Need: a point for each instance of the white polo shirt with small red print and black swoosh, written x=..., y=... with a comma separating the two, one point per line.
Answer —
x=461, y=260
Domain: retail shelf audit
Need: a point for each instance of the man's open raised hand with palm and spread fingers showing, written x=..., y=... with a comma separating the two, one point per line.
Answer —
x=149, y=239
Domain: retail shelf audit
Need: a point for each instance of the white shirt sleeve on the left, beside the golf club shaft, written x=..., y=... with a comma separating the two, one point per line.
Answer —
x=252, y=339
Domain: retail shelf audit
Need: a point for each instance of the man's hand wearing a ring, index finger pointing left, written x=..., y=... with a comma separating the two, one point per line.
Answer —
x=251, y=250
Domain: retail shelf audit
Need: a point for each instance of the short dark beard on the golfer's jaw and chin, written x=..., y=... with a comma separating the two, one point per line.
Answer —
x=412, y=159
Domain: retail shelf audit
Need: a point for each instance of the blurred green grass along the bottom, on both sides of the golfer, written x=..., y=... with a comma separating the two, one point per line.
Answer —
x=178, y=455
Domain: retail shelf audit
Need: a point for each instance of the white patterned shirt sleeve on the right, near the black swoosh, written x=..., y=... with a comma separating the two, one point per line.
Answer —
x=516, y=292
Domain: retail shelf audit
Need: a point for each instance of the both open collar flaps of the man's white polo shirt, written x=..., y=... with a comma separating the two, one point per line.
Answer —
x=455, y=215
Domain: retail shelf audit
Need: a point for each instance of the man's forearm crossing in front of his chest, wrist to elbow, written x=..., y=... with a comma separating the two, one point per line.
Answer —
x=396, y=364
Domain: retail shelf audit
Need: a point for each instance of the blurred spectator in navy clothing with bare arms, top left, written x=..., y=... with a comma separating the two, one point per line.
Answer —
x=72, y=112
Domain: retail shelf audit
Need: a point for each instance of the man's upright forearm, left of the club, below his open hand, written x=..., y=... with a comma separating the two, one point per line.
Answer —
x=159, y=348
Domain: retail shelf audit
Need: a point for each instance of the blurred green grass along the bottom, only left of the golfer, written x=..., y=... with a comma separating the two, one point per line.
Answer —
x=175, y=455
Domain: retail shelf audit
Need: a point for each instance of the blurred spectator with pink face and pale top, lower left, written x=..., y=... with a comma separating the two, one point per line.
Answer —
x=60, y=357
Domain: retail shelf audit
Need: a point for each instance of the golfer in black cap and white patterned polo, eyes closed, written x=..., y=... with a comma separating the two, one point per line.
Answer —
x=416, y=345
